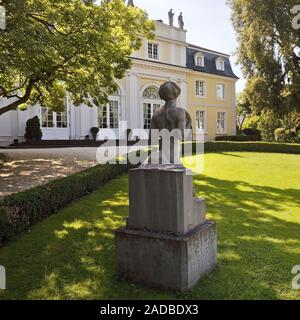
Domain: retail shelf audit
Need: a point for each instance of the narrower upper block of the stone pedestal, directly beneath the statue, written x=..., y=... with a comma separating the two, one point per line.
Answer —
x=161, y=200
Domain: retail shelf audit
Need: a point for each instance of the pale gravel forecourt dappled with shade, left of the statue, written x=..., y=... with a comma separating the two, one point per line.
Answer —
x=26, y=168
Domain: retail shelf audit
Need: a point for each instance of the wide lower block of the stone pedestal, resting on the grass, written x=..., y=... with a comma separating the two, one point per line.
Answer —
x=166, y=261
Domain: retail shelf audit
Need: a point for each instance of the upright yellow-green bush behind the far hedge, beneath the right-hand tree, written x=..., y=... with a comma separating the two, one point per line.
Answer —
x=267, y=124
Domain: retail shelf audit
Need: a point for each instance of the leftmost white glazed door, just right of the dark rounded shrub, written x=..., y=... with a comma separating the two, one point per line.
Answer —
x=55, y=125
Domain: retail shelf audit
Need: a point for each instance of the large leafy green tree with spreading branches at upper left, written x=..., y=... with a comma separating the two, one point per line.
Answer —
x=52, y=47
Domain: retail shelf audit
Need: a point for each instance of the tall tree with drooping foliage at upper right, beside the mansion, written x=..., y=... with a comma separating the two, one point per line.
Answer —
x=268, y=53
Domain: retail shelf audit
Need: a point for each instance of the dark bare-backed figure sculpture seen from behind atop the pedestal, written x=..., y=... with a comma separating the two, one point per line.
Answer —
x=170, y=119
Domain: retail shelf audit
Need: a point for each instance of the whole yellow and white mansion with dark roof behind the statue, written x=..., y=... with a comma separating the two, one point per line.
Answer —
x=205, y=77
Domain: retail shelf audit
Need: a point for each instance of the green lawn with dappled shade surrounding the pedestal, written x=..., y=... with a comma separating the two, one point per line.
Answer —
x=253, y=197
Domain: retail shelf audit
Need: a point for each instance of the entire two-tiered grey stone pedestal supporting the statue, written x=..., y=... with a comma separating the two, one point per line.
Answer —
x=167, y=241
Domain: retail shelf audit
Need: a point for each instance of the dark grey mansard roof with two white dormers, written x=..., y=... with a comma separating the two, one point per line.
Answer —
x=209, y=63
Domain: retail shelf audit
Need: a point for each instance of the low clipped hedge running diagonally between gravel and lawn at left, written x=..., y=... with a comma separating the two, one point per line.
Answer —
x=21, y=210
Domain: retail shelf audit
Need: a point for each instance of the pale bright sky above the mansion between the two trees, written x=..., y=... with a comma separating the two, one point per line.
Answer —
x=207, y=22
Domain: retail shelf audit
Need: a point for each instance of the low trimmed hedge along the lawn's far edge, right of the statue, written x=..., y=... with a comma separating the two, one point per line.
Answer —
x=269, y=147
